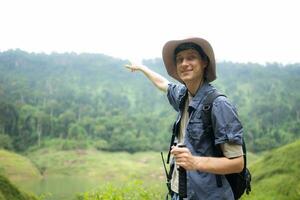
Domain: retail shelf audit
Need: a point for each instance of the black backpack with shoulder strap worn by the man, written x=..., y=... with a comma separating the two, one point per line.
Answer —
x=239, y=182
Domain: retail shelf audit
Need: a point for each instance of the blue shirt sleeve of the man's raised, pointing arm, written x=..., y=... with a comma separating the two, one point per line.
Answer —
x=174, y=93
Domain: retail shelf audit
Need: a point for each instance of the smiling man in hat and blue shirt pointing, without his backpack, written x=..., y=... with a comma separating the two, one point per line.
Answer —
x=191, y=61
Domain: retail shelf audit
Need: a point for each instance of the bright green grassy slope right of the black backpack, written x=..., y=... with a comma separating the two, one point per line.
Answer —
x=276, y=175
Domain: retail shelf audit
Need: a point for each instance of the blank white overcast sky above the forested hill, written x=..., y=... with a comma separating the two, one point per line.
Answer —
x=262, y=31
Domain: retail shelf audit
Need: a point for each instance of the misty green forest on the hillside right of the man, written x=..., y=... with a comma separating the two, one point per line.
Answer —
x=268, y=101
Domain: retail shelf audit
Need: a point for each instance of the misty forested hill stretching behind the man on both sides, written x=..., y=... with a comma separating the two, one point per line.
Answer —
x=93, y=99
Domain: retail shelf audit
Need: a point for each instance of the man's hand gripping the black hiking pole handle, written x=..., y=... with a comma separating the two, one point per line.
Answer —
x=184, y=158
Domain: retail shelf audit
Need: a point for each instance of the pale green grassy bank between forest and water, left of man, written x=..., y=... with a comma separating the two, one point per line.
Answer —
x=105, y=166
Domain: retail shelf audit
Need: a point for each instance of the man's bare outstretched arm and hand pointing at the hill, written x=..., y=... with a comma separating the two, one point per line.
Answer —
x=158, y=80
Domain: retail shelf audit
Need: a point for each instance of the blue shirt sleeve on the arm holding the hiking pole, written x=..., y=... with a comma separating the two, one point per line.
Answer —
x=228, y=128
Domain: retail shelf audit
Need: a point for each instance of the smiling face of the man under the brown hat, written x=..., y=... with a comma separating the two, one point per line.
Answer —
x=190, y=66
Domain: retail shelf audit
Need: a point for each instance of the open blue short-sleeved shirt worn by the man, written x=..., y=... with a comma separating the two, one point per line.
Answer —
x=227, y=129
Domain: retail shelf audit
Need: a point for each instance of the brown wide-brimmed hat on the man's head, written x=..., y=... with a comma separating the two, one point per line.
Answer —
x=168, y=57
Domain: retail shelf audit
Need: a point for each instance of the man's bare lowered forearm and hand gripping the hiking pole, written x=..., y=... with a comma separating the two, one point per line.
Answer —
x=221, y=165
